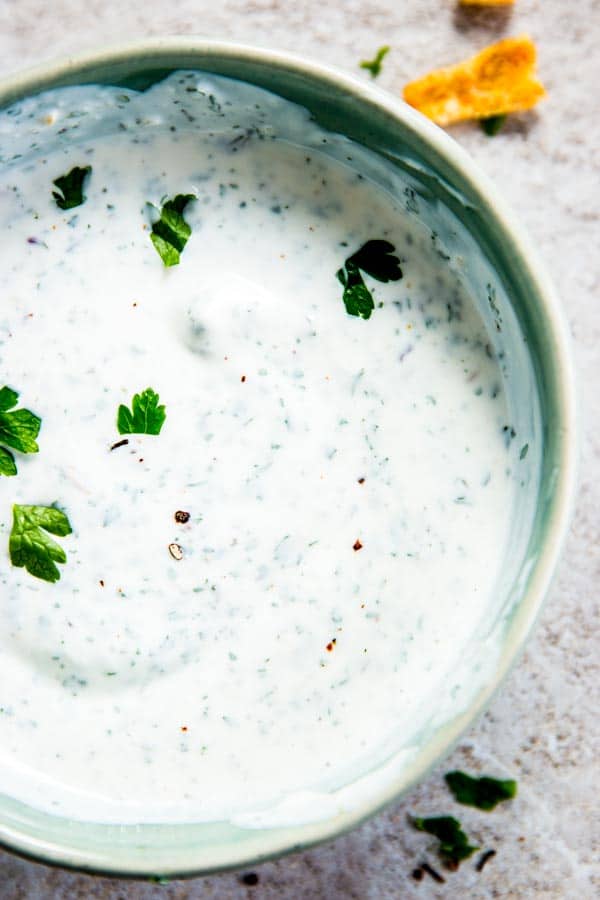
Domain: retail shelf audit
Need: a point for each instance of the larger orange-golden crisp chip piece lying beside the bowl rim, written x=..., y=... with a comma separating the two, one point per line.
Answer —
x=500, y=79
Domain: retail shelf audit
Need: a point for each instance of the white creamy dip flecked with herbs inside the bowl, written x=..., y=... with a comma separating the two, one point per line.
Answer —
x=273, y=659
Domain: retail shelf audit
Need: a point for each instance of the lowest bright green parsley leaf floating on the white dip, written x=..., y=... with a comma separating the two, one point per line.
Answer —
x=30, y=546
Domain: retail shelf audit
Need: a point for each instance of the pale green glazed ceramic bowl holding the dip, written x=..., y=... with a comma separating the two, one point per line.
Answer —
x=451, y=190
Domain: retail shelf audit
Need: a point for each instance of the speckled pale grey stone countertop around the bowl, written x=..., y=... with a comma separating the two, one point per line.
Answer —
x=543, y=726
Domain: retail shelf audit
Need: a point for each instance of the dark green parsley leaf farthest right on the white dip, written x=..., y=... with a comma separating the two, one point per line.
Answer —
x=376, y=259
